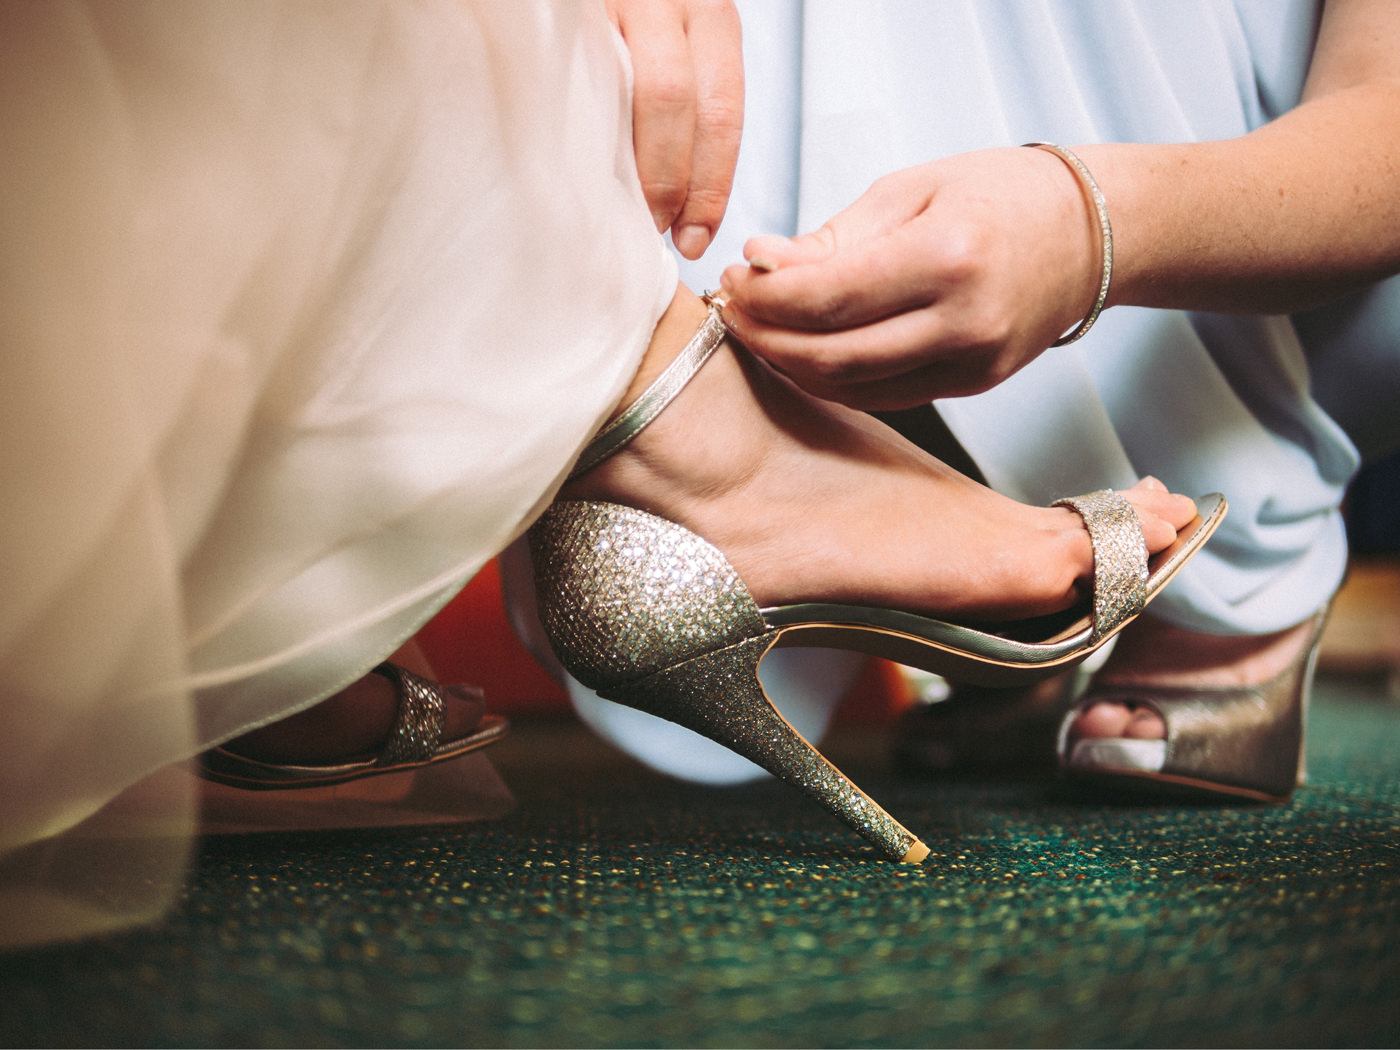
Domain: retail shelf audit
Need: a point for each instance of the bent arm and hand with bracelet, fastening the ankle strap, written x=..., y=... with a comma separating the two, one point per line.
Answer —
x=946, y=279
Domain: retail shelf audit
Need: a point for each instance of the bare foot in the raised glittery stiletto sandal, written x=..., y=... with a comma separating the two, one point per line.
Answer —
x=811, y=500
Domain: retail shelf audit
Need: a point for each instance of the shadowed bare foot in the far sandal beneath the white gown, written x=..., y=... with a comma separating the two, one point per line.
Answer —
x=355, y=722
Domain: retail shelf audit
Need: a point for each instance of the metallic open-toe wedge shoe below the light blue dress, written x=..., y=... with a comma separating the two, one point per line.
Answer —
x=1234, y=743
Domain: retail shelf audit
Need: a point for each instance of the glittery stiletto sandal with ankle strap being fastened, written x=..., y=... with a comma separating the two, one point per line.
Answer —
x=650, y=615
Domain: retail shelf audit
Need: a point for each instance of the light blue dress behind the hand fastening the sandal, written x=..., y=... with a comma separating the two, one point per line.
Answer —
x=1270, y=411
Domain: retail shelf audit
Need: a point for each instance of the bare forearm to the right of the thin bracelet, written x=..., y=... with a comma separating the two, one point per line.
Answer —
x=1291, y=215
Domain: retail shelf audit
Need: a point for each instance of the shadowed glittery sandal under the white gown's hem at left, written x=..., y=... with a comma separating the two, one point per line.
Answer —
x=415, y=740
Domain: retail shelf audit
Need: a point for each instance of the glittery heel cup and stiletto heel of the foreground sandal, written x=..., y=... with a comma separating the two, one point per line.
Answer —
x=653, y=617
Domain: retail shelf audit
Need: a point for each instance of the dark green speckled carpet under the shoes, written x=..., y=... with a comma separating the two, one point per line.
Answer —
x=619, y=909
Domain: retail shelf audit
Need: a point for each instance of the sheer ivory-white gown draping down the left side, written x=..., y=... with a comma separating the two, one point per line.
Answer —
x=306, y=310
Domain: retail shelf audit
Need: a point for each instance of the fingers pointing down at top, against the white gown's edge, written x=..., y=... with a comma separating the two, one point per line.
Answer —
x=688, y=110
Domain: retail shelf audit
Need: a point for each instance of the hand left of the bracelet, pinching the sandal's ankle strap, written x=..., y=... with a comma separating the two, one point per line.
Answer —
x=941, y=281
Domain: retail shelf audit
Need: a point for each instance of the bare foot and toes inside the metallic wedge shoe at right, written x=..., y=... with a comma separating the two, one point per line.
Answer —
x=1153, y=653
